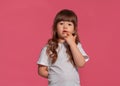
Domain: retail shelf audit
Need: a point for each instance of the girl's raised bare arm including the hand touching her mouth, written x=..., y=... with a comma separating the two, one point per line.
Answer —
x=77, y=55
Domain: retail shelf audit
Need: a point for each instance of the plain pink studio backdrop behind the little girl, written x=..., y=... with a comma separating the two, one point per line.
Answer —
x=25, y=26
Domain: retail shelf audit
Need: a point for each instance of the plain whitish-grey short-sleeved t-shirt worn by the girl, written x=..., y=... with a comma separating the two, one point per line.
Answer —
x=62, y=72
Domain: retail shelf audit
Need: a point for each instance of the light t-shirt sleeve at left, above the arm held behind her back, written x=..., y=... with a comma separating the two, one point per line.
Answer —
x=43, y=58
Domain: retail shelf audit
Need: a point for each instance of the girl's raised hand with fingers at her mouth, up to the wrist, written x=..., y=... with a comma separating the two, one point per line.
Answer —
x=69, y=38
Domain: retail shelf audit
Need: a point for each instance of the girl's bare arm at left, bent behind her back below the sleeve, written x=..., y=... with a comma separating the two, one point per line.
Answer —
x=43, y=71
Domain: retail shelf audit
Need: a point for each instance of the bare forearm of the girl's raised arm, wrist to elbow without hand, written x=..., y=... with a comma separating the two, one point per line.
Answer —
x=77, y=56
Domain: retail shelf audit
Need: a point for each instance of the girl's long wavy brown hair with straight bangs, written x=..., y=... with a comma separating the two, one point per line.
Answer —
x=63, y=15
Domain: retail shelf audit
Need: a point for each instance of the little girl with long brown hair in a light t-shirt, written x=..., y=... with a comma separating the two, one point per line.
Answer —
x=63, y=54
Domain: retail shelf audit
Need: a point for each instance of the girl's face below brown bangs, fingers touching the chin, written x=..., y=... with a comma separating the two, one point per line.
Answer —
x=64, y=27
